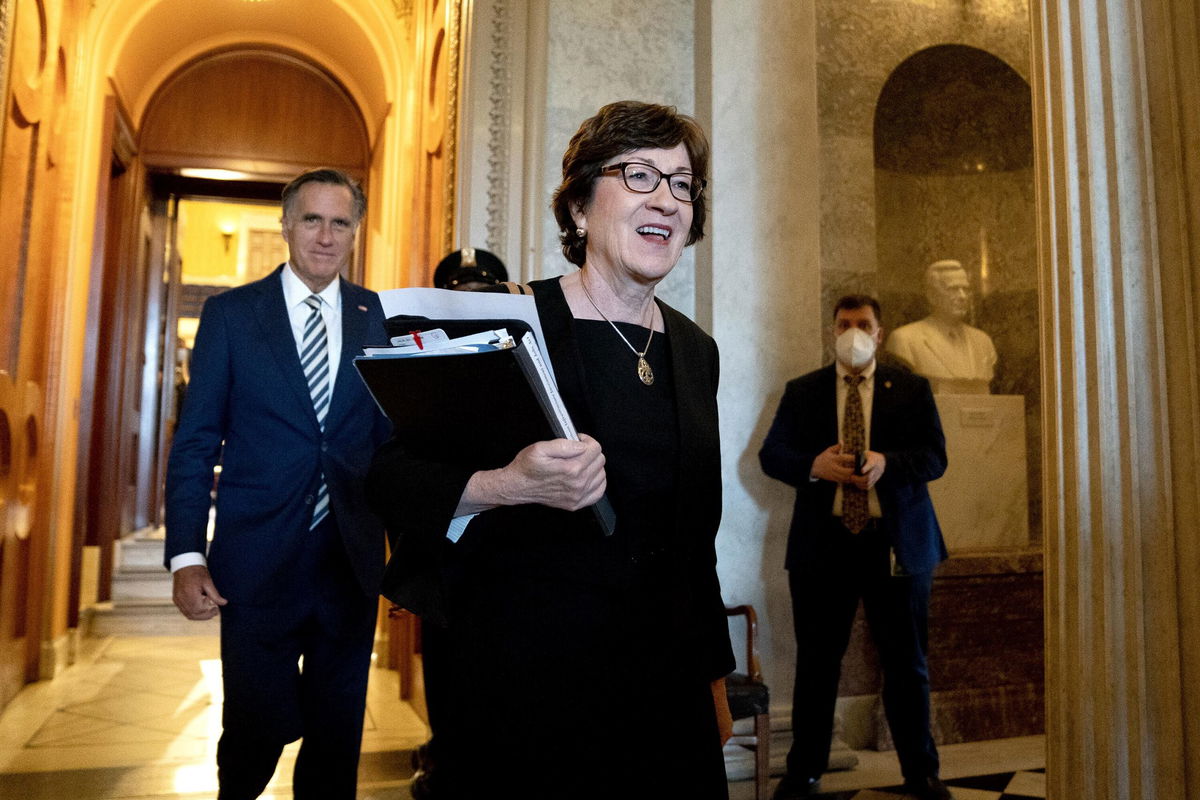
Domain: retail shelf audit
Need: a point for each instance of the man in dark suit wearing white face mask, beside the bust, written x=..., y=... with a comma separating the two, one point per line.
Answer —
x=860, y=442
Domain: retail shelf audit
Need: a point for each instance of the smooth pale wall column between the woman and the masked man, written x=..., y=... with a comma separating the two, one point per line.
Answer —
x=767, y=314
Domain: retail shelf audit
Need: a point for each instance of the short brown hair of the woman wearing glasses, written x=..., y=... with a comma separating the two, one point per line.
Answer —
x=619, y=129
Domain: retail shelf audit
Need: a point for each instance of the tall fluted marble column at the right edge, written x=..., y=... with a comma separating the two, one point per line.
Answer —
x=1117, y=116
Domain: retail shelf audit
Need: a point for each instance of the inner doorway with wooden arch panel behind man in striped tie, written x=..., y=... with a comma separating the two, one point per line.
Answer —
x=254, y=118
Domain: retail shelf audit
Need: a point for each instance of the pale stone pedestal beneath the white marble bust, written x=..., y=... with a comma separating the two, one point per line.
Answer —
x=982, y=501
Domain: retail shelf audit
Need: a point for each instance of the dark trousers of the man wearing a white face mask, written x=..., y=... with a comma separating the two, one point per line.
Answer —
x=825, y=600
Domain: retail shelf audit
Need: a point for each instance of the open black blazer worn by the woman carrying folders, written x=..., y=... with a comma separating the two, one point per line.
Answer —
x=418, y=500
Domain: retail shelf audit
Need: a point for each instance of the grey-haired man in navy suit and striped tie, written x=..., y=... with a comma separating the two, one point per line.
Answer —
x=297, y=558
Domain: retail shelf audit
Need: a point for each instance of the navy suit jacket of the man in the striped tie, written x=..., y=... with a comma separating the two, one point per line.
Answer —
x=249, y=408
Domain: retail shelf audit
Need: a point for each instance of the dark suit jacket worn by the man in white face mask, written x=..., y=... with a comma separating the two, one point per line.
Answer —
x=905, y=429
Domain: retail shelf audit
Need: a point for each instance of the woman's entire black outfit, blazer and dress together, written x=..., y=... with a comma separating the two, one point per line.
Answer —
x=559, y=634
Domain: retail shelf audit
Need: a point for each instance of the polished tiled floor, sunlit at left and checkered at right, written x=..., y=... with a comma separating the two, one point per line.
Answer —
x=139, y=717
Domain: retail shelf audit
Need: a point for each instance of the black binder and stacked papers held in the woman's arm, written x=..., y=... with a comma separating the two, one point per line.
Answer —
x=475, y=400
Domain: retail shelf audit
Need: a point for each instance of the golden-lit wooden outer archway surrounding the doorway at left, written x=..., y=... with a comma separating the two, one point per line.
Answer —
x=83, y=83
